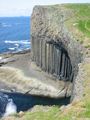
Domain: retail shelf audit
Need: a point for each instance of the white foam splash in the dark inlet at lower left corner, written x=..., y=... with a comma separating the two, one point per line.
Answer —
x=10, y=108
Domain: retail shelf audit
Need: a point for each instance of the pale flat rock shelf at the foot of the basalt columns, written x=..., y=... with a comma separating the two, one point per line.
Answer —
x=19, y=74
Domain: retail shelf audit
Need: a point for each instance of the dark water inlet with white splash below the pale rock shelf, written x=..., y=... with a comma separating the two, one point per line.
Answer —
x=11, y=103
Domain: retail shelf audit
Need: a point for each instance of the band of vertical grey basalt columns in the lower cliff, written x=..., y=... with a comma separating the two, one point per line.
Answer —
x=53, y=58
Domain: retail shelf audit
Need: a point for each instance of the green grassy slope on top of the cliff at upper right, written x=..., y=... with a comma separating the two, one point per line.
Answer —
x=79, y=23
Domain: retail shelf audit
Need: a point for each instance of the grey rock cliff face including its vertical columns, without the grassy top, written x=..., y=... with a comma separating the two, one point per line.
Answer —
x=54, y=49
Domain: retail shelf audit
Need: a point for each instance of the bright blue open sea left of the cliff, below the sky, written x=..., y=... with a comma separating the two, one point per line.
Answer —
x=14, y=34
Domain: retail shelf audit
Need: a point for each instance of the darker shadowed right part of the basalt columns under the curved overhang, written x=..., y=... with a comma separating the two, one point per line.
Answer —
x=61, y=61
